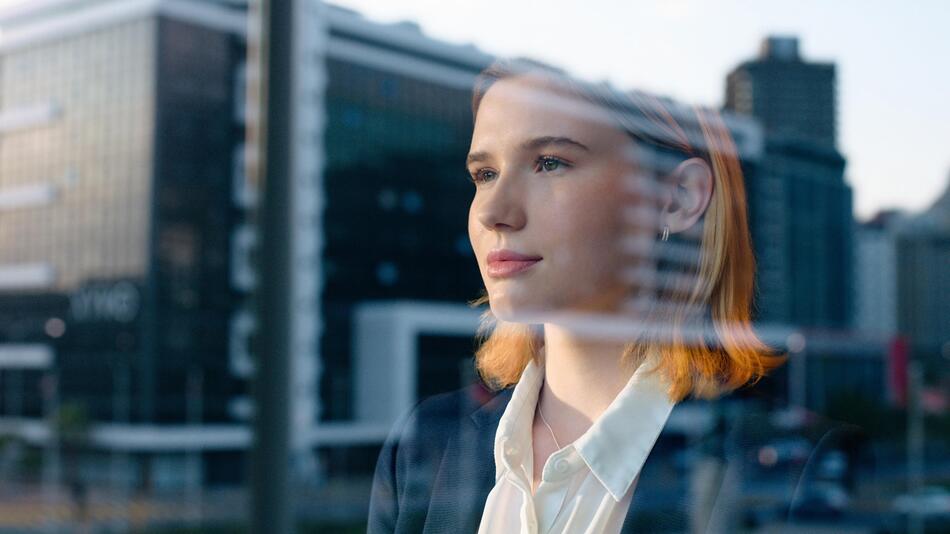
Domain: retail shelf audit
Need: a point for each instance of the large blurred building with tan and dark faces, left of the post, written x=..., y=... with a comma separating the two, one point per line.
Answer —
x=118, y=135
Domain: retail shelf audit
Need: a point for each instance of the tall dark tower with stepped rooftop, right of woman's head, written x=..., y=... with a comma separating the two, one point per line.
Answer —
x=799, y=202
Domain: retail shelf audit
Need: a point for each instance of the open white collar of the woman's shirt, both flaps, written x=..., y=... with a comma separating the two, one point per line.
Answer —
x=615, y=447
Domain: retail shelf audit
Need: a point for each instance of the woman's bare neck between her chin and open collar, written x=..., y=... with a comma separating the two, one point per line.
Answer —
x=582, y=376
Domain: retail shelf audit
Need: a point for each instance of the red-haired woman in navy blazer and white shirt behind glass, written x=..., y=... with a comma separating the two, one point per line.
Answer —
x=613, y=244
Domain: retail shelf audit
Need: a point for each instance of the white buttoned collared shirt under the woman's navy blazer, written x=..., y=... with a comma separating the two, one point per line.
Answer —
x=586, y=486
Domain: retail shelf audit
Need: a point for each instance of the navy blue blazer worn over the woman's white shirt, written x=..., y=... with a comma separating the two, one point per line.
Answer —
x=437, y=467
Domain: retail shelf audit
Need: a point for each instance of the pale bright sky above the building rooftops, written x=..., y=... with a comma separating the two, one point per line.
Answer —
x=891, y=57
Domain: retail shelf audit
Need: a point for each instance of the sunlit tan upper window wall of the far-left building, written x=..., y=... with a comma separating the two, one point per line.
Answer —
x=96, y=154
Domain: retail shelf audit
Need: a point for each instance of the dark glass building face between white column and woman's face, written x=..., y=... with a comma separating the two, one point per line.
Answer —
x=398, y=130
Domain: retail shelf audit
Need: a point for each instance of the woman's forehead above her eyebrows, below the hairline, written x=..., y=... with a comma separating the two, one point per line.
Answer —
x=528, y=106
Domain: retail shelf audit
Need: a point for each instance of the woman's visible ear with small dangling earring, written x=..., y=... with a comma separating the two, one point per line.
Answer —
x=690, y=190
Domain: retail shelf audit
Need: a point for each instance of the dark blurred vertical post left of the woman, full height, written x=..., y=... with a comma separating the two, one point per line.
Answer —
x=272, y=506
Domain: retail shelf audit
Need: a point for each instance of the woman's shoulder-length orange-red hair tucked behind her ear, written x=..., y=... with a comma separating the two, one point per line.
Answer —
x=701, y=338
